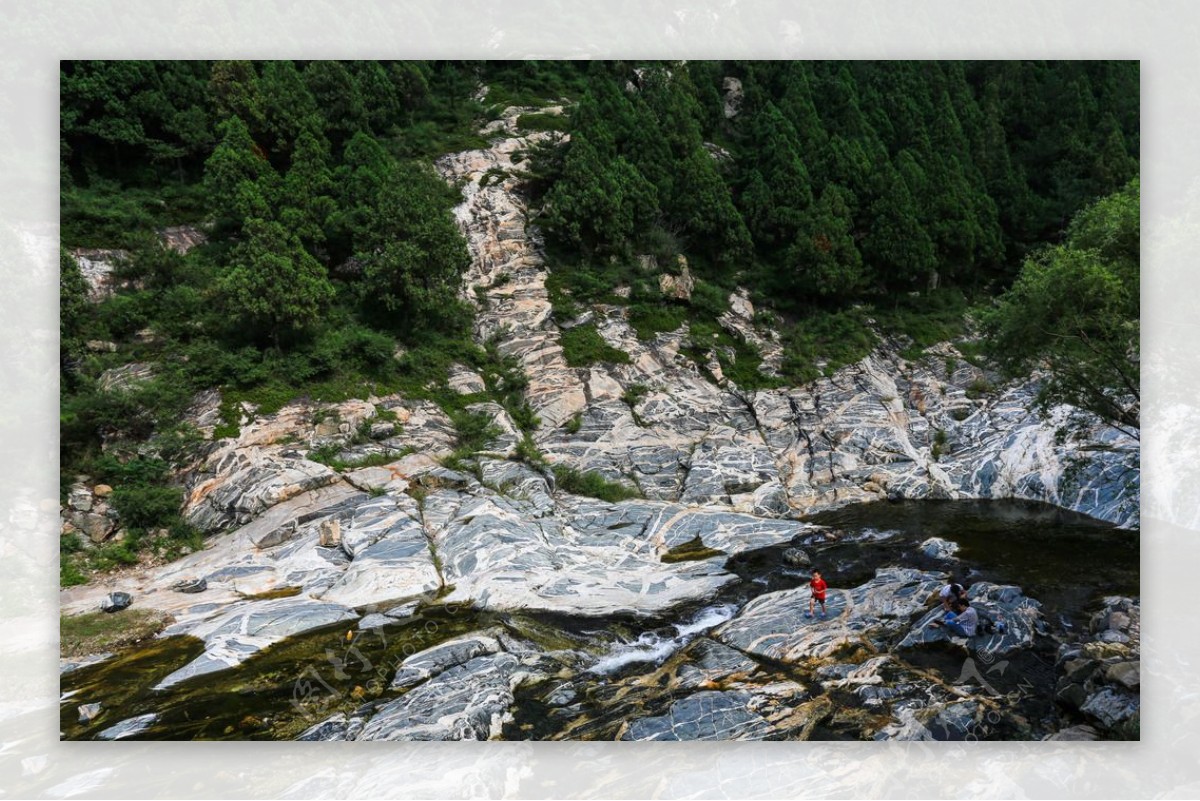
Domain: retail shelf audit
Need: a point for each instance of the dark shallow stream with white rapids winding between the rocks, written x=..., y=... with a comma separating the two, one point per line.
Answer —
x=1067, y=562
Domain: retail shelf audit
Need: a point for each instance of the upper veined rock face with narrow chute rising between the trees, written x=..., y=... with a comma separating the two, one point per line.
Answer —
x=866, y=433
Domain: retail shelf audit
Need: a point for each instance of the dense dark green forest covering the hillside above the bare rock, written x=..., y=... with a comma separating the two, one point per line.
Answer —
x=854, y=201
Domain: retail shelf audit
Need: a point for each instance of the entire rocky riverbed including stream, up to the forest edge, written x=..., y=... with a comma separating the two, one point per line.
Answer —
x=413, y=601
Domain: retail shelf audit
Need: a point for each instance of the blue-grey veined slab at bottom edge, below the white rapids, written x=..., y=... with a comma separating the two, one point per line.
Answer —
x=704, y=716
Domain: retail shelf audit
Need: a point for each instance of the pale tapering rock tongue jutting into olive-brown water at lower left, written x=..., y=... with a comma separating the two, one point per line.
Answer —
x=233, y=637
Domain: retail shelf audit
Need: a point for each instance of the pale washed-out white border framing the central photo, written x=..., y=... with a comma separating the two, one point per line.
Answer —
x=34, y=763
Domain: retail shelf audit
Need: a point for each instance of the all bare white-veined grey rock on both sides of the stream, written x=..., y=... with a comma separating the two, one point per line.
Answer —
x=303, y=547
